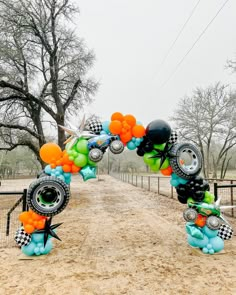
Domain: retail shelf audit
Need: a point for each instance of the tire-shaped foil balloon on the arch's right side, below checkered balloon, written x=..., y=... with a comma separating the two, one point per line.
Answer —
x=185, y=160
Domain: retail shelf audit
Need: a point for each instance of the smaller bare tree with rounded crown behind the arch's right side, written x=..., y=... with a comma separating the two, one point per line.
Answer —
x=207, y=118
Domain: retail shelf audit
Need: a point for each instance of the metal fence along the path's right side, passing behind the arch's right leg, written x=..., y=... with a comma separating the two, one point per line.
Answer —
x=226, y=188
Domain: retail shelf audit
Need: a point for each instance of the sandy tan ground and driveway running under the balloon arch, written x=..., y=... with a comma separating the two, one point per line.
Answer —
x=119, y=239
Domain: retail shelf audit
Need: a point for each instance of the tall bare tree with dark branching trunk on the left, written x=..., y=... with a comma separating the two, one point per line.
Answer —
x=43, y=70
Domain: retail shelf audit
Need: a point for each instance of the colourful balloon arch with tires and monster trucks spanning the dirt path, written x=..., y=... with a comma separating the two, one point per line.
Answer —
x=158, y=144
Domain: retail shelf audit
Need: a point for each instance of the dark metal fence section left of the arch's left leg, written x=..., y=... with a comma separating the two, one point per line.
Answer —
x=11, y=205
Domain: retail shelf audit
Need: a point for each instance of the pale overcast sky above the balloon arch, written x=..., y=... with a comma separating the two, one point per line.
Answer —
x=131, y=38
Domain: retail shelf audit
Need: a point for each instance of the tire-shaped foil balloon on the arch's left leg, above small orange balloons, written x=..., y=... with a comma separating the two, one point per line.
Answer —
x=48, y=196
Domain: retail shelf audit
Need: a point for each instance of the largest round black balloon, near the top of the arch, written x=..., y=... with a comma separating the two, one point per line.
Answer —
x=158, y=131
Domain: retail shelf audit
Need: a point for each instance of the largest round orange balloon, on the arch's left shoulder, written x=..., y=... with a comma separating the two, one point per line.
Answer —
x=50, y=152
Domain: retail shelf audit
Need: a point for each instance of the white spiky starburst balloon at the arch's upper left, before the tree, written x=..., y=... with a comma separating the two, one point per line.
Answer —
x=76, y=134
